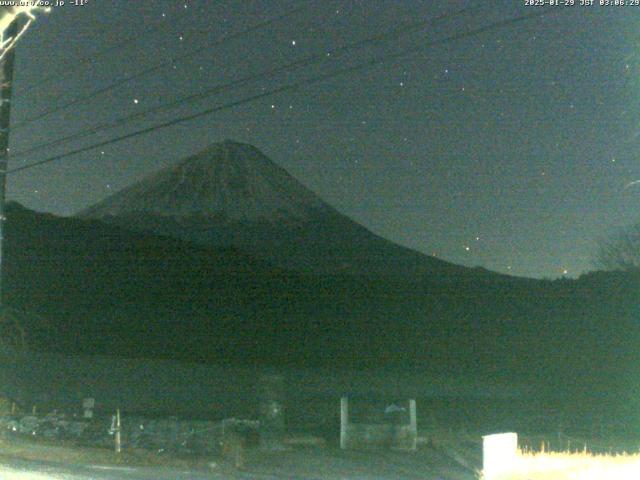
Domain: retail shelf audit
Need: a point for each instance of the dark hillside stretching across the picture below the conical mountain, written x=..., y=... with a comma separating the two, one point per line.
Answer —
x=103, y=290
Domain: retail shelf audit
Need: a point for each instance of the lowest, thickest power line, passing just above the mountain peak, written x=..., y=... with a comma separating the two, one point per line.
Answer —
x=293, y=86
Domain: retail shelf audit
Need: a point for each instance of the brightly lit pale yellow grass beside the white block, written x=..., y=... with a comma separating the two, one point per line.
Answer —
x=573, y=466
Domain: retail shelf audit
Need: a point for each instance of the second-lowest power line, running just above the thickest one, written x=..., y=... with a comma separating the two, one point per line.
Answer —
x=310, y=59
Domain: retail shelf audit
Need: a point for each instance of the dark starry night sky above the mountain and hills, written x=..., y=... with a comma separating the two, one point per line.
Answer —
x=508, y=149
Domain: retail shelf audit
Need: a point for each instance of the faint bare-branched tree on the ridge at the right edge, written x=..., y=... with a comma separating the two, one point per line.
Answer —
x=620, y=251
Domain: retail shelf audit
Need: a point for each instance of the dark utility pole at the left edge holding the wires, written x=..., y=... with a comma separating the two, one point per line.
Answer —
x=6, y=87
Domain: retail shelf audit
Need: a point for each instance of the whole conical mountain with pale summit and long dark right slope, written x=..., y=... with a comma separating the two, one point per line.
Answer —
x=232, y=195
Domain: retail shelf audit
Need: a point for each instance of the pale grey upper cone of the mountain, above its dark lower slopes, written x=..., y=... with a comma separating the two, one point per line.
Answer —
x=228, y=180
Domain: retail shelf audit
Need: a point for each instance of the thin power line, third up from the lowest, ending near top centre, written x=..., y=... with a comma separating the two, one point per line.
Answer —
x=155, y=68
